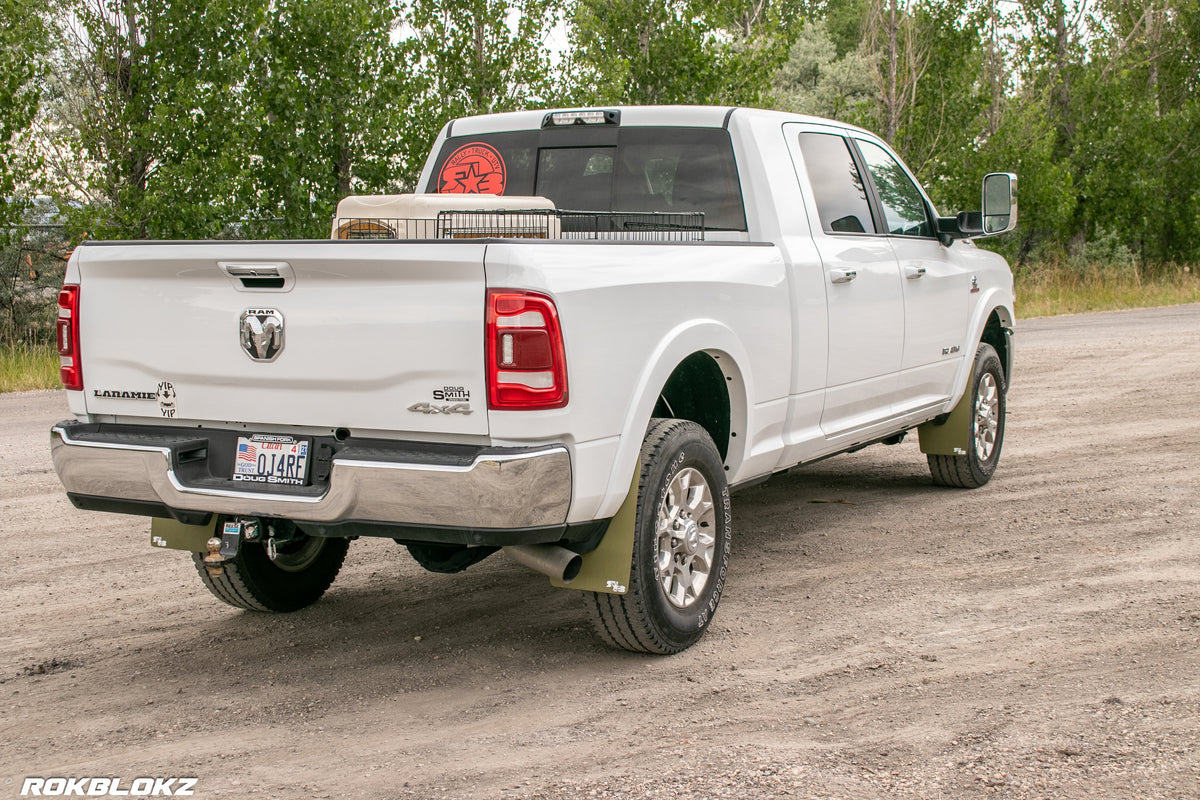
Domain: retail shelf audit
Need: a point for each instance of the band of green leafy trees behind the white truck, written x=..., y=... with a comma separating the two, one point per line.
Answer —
x=208, y=118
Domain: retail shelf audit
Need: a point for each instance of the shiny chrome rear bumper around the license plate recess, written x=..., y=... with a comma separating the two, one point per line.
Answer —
x=499, y=490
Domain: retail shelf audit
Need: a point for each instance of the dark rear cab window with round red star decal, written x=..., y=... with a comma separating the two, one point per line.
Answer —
x=614, y=170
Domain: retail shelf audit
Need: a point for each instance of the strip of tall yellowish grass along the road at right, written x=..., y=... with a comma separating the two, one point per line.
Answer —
x=1052, y=288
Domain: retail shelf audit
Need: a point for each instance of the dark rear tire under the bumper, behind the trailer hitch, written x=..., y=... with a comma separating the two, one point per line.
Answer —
x=303, y=572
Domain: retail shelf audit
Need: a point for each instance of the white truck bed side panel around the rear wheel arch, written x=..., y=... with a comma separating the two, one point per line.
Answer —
x=631, y=315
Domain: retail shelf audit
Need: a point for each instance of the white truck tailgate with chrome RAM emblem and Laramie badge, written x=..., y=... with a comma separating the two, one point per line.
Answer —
x=189, y=332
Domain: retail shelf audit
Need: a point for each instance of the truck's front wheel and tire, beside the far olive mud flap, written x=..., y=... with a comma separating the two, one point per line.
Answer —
x=986, y=436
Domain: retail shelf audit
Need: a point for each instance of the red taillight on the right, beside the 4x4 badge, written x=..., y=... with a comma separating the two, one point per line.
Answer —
x=526, y=362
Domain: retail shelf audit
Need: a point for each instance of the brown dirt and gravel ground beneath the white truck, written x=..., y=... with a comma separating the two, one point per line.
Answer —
x=879, y=637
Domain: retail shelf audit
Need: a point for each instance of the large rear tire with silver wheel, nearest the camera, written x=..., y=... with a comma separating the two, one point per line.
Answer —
x=681, y=545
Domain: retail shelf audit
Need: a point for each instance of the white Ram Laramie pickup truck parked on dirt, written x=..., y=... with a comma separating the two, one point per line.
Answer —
x=584, y=333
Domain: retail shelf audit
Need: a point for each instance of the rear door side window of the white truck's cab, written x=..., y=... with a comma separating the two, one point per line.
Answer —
x=837, y=184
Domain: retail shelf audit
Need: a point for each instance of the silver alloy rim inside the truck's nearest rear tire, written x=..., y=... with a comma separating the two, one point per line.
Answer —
x=687, y=543
